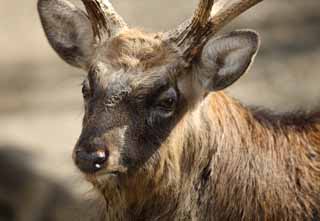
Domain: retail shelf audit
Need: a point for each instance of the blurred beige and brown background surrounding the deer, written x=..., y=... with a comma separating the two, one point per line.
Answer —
x=40, y=95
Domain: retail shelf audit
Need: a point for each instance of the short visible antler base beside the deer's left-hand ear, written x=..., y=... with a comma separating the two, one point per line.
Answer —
x=104, y=19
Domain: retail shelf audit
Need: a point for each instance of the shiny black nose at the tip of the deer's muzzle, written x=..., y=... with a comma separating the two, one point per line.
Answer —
x=90, y=162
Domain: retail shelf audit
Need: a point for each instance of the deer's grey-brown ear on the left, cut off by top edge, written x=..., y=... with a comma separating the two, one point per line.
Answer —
x=68, y=30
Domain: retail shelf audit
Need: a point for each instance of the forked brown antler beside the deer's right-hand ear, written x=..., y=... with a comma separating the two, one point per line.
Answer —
x=209, y=17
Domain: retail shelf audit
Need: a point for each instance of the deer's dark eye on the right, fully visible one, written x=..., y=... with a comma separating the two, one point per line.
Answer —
x=168, y=100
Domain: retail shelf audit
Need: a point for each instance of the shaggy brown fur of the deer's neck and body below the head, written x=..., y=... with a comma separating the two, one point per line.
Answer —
x=225, y=162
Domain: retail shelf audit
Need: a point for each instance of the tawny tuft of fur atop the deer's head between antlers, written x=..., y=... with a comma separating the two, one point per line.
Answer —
x=134, y=49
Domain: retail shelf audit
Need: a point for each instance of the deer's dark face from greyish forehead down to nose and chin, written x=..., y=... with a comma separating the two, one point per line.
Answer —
x=130, y=110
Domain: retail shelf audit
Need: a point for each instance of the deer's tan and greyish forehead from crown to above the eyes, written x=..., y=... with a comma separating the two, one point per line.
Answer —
x=135, y=59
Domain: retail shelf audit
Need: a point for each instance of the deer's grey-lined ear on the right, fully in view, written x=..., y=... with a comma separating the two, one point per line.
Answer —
x=225, y=59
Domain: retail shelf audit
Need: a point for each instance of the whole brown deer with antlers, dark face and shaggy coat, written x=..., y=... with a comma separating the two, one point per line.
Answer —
x=161, y=139
